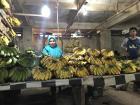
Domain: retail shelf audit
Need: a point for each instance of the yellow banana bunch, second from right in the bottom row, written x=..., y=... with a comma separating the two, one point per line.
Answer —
x=113, y=69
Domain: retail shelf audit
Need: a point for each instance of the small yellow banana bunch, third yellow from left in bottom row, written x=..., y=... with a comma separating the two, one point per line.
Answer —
x=81, y=72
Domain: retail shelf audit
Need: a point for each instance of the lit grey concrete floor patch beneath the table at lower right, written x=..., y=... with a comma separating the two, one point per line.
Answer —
x=116, y=97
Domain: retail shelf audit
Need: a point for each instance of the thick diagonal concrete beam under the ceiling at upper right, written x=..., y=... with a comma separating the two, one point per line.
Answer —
x=129, y=12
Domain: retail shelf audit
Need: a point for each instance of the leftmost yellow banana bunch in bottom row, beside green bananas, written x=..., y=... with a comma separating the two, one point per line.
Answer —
x=39, y=74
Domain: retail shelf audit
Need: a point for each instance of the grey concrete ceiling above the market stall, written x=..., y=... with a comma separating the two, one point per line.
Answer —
x=99, y=11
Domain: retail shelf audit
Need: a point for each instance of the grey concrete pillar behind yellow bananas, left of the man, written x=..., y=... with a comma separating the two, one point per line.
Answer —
x=105, y=39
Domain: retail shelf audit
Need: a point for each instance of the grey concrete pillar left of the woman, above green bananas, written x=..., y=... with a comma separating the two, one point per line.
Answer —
x=26, y=41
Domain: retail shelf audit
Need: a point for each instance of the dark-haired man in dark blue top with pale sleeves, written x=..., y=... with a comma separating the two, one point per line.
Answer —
x=132, y=44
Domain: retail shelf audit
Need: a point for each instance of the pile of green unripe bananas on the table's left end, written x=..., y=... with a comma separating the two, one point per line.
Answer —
x=14, y=65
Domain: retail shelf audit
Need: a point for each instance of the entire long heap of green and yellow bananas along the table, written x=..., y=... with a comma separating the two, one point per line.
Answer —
x=82, y=63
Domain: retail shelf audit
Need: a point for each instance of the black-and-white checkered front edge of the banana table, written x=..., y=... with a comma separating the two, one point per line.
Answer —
x=88, y=81
